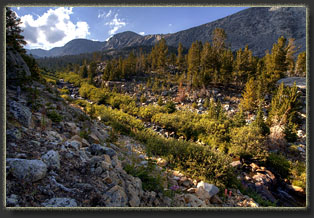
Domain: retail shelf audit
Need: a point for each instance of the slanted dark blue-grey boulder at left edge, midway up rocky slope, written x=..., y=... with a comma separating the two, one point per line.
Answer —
x=21, y=113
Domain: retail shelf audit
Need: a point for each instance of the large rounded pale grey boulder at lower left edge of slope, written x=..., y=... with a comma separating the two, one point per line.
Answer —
x=27, y=170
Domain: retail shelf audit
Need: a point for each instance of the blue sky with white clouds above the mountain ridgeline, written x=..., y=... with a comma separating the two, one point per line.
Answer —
x=48, y=27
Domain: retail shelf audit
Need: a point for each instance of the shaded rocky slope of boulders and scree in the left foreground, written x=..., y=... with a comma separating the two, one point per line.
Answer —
x=50, y=163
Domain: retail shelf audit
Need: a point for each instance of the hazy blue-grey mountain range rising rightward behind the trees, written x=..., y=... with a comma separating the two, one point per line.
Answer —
x=257, y=27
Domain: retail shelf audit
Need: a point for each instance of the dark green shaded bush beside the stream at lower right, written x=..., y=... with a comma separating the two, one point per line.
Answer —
x=278, y=164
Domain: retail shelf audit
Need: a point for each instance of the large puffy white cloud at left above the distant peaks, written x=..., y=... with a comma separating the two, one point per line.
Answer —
x=53, y=29
